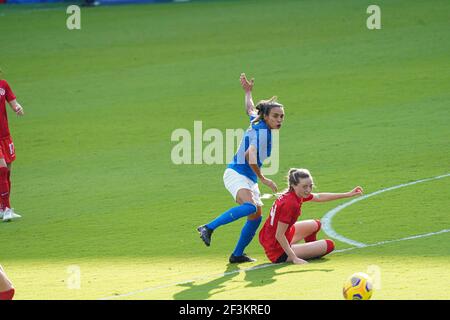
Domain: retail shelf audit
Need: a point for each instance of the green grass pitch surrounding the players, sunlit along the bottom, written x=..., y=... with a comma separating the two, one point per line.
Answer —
x=96, y=186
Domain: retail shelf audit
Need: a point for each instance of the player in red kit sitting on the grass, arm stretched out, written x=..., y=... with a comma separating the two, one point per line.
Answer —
x=281, y=231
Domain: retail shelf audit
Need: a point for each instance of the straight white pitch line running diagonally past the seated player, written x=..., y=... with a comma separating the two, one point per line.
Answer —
x=263, y=266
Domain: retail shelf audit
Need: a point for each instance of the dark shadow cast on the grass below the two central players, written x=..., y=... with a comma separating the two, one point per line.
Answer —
x=257, y=276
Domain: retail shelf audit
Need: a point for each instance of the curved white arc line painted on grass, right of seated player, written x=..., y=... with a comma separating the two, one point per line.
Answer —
x=328, y=217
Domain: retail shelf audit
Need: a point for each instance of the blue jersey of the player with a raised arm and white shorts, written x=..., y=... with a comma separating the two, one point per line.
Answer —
x=260, y=136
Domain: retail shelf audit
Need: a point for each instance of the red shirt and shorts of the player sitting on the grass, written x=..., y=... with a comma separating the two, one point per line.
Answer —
x=286, y=209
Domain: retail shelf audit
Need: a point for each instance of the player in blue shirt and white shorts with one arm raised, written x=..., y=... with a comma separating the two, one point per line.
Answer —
x=241, y=176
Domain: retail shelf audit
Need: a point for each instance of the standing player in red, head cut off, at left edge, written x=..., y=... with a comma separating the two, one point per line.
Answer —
x=7, y=152
